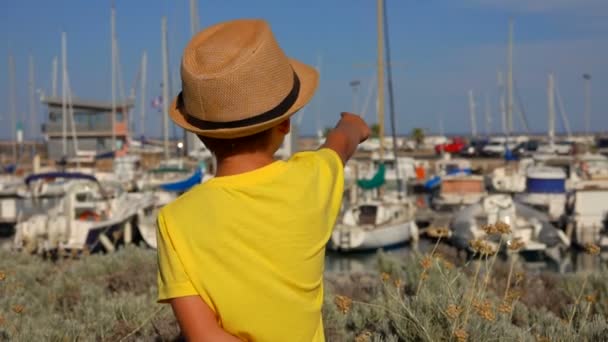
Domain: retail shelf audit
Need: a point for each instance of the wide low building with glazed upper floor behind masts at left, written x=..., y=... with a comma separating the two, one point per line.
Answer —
x=92, y=127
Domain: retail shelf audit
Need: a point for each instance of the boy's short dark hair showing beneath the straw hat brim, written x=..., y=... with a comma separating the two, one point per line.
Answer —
x=226, y=147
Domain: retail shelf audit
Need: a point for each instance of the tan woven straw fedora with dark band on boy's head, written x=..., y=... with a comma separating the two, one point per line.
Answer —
x=236, y=81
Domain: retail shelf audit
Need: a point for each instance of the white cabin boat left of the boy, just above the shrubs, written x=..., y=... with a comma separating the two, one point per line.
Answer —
x=89, y=217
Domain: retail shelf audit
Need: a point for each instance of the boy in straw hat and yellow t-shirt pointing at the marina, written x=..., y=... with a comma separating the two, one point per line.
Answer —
x=241, y=256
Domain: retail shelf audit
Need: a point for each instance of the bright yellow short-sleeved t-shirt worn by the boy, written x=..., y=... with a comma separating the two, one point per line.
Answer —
x=252, y=246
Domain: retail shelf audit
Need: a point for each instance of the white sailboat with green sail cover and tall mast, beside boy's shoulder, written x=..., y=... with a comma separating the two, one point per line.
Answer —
x=383, y=220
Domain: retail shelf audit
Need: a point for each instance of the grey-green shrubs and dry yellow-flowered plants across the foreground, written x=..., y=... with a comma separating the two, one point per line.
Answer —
x=428, y=297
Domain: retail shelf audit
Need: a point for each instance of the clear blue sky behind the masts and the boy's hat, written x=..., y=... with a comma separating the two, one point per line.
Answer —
x=440, y=49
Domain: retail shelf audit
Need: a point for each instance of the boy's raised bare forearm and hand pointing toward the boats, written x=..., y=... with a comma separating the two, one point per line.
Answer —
x=350, y=131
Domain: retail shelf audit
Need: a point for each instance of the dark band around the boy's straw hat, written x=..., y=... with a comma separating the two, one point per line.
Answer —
x=273, y=113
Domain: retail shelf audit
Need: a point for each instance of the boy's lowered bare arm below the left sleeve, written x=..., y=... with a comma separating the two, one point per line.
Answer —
x=197, y=321
